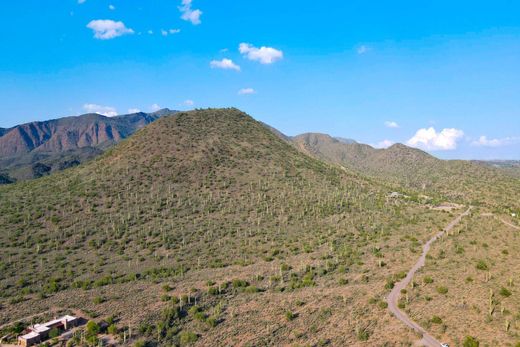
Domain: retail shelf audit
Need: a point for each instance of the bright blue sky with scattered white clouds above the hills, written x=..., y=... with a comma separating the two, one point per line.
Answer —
x=438, y=75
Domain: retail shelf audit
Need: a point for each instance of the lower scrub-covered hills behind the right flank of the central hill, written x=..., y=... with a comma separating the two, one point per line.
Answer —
x=415, y=169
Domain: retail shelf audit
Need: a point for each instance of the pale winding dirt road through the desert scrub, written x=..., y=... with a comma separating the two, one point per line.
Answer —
x=393, y=298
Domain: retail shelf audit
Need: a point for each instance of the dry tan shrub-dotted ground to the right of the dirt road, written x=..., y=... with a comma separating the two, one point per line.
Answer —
x=478, y=265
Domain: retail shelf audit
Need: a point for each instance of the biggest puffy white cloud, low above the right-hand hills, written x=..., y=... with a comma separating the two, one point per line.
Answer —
x=430, y=139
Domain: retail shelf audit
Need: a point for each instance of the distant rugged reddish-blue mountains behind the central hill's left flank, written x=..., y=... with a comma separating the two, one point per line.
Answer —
x=35, y=149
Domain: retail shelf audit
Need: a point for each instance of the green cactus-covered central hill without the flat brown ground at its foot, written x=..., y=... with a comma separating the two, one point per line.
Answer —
x=200, y=189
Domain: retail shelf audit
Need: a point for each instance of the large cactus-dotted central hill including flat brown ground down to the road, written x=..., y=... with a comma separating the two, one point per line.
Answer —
x=210, y=198
